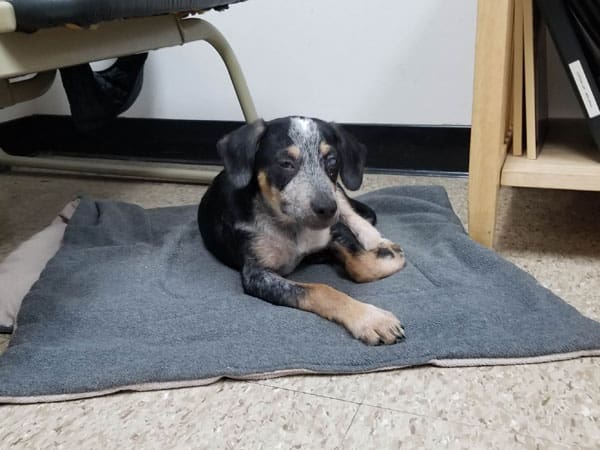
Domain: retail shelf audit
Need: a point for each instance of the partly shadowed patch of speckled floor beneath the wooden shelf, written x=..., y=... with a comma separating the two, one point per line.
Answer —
x=555, y=236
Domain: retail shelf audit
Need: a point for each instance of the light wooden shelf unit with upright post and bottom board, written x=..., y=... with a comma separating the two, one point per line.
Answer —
x=567, y=160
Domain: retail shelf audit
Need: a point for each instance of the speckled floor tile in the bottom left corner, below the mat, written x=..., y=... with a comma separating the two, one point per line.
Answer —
x=225, y=415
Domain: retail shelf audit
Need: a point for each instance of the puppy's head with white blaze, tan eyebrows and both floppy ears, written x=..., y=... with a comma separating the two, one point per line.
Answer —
x=295, y=162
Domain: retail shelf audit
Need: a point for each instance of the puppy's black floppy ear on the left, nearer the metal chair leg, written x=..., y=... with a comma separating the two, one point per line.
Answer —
x=237, y=150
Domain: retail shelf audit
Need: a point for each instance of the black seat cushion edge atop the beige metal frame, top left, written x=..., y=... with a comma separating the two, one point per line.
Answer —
x=34, y=14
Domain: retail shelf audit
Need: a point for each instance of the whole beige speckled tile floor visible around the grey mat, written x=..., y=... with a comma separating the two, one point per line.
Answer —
x=554, y=235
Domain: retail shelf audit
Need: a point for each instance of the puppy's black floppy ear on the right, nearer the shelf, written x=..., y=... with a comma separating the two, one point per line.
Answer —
x=353, y=156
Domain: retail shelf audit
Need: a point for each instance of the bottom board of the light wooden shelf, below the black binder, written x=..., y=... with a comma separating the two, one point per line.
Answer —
x=568, y=159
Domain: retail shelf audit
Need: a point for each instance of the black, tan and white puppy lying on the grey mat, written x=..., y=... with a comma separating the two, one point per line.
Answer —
x=278, y=200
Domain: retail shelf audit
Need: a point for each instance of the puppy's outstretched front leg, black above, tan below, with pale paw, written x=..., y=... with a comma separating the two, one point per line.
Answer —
x=364, y=321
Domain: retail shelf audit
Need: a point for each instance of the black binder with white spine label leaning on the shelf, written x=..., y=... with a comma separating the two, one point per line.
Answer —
x=574, y=26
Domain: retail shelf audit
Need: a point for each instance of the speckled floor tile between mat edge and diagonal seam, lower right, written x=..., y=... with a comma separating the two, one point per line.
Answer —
x=558, y=401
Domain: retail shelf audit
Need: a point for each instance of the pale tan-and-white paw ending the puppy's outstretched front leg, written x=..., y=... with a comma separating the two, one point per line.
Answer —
x=376, y=326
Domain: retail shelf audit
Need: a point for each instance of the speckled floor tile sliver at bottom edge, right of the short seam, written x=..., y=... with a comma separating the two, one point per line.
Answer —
x=380, y=428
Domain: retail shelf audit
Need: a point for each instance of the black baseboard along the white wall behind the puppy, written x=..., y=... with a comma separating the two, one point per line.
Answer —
x=403, y=148
